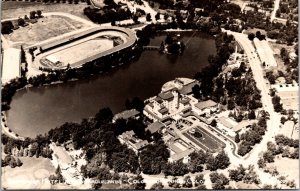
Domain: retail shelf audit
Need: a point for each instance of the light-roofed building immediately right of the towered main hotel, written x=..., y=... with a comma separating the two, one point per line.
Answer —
x=206, y=107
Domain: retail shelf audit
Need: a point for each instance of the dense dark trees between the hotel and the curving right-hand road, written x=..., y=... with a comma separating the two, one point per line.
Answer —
x=237, y=91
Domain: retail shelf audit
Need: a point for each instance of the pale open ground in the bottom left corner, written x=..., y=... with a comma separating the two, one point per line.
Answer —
x=29, y=175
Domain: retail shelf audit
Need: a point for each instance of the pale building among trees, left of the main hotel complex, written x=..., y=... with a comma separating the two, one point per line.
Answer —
x=132, y=141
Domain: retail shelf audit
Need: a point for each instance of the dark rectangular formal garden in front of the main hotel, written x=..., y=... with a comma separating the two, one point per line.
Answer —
x=206, y=140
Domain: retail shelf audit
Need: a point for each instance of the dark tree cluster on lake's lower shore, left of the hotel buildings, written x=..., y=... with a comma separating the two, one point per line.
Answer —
x=98, y=138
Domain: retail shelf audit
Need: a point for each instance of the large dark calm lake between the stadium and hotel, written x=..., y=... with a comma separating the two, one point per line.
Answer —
x=37, y=110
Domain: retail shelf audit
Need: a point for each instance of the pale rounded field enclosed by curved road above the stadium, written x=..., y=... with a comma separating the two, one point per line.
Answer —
x=45, y=28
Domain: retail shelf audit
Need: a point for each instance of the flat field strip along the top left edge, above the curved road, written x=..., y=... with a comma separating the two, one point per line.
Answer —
x=19, y=9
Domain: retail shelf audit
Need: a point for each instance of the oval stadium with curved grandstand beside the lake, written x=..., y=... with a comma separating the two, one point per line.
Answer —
x=76, y=49
